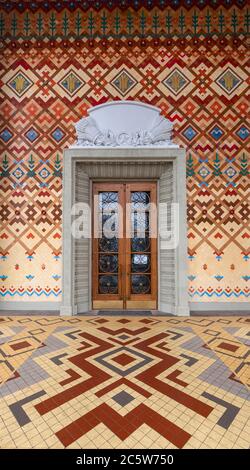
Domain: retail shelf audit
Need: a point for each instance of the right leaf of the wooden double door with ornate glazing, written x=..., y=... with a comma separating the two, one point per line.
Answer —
x=141, y=243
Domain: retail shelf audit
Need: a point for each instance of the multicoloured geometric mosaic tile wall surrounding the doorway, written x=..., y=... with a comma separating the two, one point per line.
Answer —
x=58, y=59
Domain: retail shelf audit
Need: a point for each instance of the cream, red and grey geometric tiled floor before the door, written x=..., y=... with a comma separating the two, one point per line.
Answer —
x=102, y=382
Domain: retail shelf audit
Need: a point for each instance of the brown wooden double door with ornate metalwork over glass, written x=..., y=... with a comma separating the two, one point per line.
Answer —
x=124, y=246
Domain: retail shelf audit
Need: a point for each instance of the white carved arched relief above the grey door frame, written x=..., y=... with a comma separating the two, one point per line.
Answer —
x=91, y=133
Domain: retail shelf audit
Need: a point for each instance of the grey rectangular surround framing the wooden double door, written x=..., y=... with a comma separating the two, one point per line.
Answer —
x=127, y=155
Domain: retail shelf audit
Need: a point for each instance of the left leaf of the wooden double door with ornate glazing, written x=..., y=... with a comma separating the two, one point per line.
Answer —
x=108, y=249
